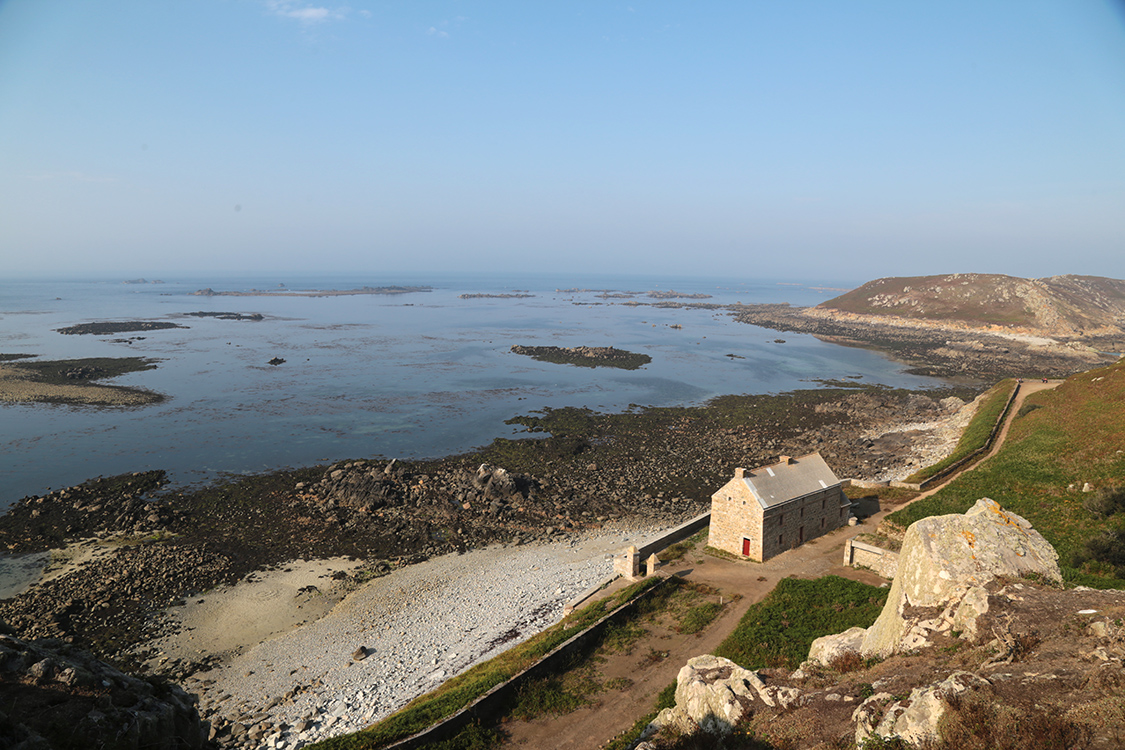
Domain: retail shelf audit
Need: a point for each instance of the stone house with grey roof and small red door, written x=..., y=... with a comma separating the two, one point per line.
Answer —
x=762, y=513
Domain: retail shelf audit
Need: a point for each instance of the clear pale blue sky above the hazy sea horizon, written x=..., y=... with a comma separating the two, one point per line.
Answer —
x=840, y=140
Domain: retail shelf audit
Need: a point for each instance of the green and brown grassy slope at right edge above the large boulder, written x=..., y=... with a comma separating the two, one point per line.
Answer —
x=1061, y=438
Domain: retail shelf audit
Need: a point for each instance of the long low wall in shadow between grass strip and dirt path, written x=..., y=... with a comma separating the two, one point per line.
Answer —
x=502, y=697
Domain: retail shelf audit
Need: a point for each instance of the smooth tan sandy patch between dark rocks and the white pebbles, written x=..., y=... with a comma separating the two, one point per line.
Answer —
x=229, y=620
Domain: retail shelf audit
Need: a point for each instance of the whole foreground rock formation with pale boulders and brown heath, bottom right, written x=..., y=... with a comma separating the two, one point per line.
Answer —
x=978, y=646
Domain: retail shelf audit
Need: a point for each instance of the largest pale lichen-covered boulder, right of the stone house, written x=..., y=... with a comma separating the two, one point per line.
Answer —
x=944, y=565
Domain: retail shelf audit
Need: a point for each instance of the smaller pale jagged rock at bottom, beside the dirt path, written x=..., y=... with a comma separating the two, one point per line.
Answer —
x=714, y=694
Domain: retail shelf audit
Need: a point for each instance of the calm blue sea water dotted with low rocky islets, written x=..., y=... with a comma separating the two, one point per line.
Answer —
x=412, y=376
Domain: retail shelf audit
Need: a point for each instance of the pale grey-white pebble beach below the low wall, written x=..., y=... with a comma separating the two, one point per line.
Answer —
x=394, y=639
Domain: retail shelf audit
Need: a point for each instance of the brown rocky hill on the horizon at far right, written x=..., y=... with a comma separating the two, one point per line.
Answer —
x=1058, y=306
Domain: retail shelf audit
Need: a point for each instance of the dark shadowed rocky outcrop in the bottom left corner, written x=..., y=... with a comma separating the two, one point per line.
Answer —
x=53, y=697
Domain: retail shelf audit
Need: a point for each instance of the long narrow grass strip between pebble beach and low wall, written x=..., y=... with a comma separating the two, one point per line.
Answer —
x=460, y=692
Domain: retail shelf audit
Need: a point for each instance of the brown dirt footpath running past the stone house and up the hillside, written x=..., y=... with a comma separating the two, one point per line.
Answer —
x=615, y=712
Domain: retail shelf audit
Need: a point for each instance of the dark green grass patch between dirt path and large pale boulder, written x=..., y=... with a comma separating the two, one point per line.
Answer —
x=779, y=630
